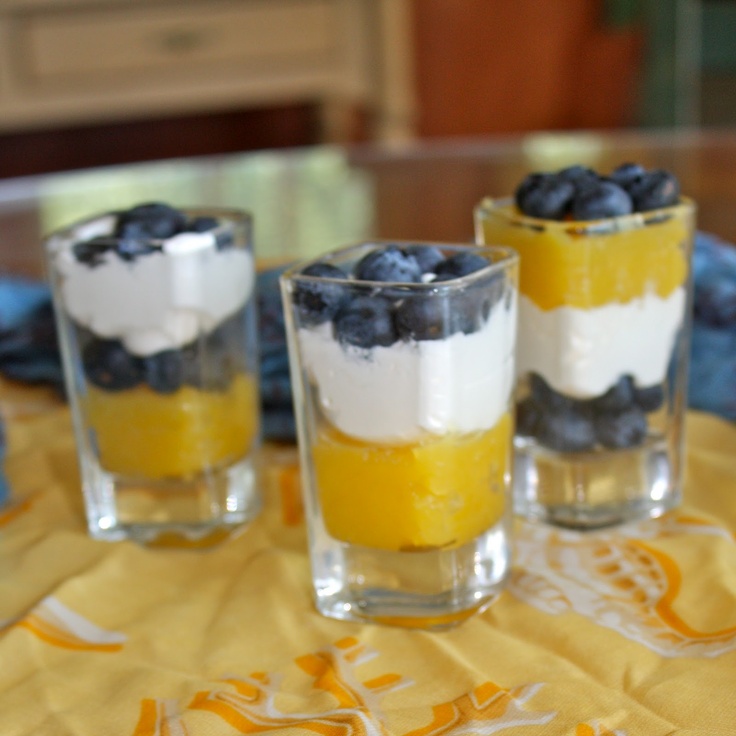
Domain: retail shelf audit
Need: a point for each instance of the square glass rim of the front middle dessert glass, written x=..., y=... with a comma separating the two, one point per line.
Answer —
x=508, y=257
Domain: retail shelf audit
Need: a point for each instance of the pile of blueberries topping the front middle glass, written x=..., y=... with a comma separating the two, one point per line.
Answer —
x=375, y=316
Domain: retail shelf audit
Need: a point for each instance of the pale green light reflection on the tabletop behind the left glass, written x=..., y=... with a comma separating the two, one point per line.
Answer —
x=304, y=202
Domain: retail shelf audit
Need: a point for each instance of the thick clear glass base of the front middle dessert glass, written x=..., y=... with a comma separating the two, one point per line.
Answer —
x=428, y=589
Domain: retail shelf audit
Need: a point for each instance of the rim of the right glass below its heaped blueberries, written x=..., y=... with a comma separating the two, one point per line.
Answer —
x=497, y=205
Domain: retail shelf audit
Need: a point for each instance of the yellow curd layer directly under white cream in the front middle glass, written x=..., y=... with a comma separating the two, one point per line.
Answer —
x=440, y=493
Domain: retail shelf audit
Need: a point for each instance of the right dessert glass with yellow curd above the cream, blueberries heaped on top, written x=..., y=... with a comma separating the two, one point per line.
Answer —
x=603, y=341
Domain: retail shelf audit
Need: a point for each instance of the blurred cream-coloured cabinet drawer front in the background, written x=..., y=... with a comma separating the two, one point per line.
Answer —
x=84, y=43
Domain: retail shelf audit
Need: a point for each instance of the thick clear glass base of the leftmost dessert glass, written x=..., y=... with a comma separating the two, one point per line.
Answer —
x=194, y=512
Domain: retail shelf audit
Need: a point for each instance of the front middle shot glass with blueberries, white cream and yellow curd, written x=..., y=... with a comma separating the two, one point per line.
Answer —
x=403, y=381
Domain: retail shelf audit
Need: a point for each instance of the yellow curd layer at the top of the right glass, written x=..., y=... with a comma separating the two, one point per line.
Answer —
x=584, y=264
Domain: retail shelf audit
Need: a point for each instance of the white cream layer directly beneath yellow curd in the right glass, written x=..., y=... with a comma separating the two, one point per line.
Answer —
x=583, y=352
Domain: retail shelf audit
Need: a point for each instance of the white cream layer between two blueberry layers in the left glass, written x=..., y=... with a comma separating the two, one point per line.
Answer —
x=160, y=300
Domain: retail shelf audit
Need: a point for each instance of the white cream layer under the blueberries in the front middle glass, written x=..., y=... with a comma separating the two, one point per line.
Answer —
x=404, y=392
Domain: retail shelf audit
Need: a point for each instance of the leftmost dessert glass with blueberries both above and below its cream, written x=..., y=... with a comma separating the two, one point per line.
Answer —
x=155, y=312
